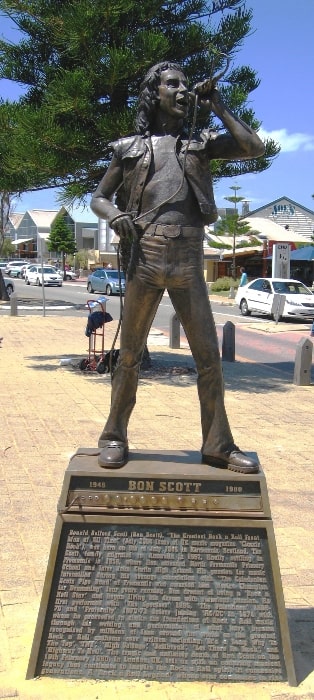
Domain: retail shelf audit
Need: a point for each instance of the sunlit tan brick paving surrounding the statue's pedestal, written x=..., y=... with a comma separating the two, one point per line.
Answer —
x=48, y=410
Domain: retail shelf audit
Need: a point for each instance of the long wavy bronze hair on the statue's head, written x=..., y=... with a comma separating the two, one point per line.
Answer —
x=148, y=97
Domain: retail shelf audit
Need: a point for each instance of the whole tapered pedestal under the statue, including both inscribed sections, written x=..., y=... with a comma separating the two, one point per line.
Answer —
x=165, y=569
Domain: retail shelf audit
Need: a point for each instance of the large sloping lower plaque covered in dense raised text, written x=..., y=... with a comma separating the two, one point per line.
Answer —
x=168, y=599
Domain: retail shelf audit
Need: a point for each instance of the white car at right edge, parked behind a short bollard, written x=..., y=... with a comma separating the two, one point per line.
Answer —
x=258, y=296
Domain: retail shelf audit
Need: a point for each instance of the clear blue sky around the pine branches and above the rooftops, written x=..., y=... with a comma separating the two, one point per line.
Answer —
x=281, y=50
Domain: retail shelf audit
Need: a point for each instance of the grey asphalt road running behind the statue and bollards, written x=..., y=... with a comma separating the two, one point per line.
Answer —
x=256, y=340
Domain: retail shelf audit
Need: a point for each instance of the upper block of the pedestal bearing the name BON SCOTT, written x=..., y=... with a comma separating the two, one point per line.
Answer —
x=178, y=485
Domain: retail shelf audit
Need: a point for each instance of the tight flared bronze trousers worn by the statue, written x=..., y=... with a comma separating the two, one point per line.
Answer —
x=175, y=264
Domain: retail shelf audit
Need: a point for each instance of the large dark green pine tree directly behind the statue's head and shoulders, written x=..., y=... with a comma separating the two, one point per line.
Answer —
x=81, y=64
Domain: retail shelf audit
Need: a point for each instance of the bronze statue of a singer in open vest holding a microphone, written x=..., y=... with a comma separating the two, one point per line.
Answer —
x=165, y=197
